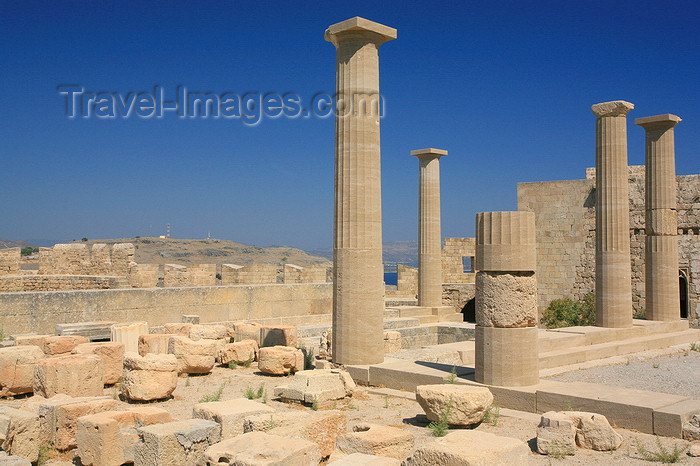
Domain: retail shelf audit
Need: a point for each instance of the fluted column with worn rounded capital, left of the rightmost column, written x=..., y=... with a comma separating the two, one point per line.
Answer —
x=613, y=275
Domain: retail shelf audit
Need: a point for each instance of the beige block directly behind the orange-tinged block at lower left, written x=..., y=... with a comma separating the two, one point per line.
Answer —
x=58, y=417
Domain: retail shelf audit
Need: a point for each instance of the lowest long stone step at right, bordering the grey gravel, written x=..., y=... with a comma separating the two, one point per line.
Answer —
x=579, y=354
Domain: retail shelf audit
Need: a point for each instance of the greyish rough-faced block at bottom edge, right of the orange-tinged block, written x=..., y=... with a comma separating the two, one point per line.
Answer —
x=180, y=443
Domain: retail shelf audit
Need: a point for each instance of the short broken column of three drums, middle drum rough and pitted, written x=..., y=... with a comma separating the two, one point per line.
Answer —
x=506, y=299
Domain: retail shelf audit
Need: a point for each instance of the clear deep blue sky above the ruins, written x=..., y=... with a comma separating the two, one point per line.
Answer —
x=505, y=87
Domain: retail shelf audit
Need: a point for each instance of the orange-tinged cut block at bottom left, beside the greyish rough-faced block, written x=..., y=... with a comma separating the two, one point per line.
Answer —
x=108, y=438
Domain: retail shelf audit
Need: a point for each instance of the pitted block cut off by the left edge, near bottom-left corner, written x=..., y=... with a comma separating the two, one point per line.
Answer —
x=22, y=435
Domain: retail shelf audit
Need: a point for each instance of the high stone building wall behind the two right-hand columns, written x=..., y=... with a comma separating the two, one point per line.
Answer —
x=565, y=225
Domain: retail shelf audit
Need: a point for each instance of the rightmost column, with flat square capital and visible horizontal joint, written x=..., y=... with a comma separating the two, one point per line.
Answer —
x=661, y=282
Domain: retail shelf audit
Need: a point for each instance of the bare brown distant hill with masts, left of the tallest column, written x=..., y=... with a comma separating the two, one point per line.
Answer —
x=152, y=250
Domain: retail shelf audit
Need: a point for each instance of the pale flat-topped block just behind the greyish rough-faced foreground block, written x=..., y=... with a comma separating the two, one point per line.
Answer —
x=230, y=414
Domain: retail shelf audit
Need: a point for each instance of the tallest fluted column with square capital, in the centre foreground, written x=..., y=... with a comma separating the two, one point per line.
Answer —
x=358, y=274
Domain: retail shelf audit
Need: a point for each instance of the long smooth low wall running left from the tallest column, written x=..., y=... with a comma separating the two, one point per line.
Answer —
x=39, y=312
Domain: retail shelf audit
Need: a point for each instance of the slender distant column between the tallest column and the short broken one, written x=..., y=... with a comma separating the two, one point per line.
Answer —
x=429, y=236
